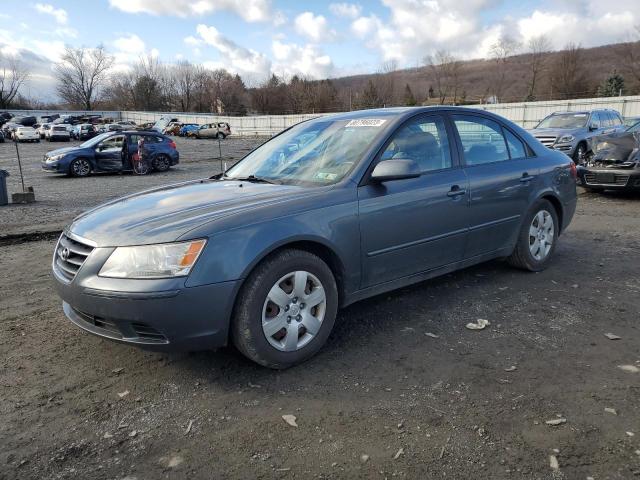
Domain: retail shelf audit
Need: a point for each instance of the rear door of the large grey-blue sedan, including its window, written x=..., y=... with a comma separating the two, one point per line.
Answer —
x=502, y=176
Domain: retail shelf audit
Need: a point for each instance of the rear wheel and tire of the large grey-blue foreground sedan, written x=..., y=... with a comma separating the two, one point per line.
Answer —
x=523, y=255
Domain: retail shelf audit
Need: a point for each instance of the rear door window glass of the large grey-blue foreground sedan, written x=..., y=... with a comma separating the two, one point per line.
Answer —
x=482, y=140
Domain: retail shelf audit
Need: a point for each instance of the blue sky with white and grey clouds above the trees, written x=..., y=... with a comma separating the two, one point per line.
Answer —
x=316, y=39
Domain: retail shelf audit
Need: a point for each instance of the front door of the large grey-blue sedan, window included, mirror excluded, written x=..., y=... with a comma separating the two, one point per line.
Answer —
x=414, y=225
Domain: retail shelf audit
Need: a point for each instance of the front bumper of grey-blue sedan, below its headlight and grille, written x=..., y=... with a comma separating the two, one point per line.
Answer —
x=162, y=315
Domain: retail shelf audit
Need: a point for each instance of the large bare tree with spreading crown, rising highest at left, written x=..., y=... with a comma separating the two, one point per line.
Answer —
x=81, y=75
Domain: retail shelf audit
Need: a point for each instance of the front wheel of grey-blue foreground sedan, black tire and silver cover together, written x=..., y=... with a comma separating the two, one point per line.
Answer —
x=254, y=309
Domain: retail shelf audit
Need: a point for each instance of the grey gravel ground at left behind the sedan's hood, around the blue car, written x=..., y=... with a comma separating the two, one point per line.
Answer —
x=61, y=198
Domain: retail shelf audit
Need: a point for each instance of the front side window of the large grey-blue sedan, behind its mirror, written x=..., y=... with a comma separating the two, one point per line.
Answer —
x=423, y=140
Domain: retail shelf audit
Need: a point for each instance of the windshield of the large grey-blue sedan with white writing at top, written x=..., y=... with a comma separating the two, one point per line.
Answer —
x=319, y=152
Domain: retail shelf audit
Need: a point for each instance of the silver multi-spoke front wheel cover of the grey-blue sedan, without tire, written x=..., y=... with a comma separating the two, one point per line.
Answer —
x=293, y=311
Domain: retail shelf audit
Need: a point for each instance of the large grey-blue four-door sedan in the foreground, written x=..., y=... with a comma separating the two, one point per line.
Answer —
x=264, y=255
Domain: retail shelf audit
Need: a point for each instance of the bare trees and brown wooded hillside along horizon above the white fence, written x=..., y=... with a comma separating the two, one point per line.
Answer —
x=86, y=80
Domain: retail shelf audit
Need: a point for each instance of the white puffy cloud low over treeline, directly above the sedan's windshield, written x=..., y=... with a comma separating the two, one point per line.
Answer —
x=307, y=61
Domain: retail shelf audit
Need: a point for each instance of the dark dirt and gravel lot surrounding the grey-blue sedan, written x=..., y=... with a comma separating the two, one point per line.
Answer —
x=402, y=389
